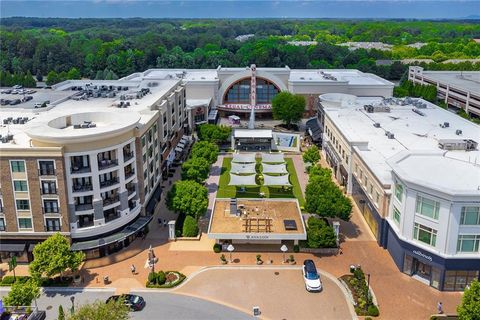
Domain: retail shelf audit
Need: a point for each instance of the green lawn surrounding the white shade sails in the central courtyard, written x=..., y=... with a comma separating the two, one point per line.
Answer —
x=226, y=191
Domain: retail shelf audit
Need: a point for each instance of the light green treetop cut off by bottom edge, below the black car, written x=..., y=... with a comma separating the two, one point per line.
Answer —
x=99, y=310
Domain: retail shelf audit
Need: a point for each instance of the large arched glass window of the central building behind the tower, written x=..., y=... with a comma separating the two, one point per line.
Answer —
x=240, y=92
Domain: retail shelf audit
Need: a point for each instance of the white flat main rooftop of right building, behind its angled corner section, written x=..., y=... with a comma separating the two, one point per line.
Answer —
x=412, y=132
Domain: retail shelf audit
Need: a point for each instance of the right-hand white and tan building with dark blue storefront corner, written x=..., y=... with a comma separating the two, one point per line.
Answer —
x=413, y=169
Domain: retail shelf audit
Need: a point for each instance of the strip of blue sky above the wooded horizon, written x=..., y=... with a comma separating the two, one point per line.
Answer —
x=409, y=9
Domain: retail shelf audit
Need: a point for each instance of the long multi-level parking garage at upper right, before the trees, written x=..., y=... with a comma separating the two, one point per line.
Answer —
x=460, y=89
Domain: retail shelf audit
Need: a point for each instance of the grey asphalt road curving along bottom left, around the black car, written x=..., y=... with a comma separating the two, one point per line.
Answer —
x=159, y=305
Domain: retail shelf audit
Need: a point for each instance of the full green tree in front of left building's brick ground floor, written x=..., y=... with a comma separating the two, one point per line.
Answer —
x=53, y=256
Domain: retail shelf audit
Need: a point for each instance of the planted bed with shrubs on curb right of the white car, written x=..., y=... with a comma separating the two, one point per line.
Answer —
x=357, y=285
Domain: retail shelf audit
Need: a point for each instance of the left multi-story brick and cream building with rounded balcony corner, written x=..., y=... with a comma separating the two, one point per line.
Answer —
x=87, y=164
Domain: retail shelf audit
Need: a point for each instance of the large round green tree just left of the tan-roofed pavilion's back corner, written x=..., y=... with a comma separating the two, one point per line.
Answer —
x=188, y=197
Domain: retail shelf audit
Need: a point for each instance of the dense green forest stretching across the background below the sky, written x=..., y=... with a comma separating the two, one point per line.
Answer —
x=111, y=48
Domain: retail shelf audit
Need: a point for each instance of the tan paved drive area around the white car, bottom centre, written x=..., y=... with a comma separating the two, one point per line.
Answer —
x=279, y=292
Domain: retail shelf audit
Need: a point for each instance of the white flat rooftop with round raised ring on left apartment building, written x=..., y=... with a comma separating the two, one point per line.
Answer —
x=56, y=122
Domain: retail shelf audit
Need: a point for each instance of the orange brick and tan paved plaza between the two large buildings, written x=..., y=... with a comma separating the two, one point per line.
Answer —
x=398, y=295
